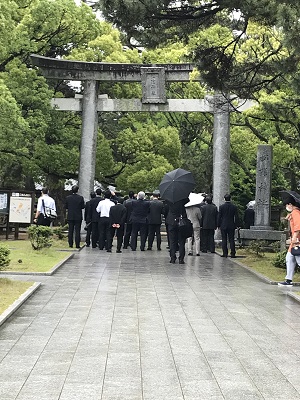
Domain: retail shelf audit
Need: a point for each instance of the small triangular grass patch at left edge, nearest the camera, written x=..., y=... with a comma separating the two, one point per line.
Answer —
x=10, y=291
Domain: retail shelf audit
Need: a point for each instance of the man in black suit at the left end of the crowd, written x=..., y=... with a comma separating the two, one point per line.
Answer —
x=74, y=205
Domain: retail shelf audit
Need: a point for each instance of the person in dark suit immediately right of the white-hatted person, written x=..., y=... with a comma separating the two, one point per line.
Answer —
x=209, y=225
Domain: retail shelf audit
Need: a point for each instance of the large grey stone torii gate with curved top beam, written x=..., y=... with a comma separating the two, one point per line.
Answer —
x=153, y=79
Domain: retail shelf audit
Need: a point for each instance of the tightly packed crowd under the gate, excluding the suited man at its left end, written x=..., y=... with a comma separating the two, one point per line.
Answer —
x=107, y=215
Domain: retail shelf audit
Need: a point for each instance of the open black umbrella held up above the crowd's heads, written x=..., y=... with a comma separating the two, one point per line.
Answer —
x=176, y=185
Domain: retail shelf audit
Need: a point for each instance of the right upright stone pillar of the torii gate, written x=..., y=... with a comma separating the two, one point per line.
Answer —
x=221, y=148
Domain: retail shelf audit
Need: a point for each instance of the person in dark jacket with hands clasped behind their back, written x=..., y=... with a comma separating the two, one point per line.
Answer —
x=117, y=218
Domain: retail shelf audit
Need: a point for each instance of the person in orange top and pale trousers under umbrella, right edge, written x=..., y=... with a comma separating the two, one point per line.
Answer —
x=291, y=201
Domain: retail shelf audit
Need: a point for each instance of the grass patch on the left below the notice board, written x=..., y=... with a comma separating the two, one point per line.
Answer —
x=25, y=259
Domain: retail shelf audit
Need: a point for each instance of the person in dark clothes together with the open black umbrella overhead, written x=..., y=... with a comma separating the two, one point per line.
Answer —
x=175, y=188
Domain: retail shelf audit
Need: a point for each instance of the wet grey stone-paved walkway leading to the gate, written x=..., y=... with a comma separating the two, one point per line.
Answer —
x=132, y=326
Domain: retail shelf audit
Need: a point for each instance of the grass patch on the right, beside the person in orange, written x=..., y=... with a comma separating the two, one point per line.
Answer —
x=263, y=265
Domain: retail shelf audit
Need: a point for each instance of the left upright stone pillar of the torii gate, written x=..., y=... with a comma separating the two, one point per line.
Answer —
x=89, y=133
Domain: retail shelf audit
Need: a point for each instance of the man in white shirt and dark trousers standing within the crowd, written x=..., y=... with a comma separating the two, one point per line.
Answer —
x=103, y=209
